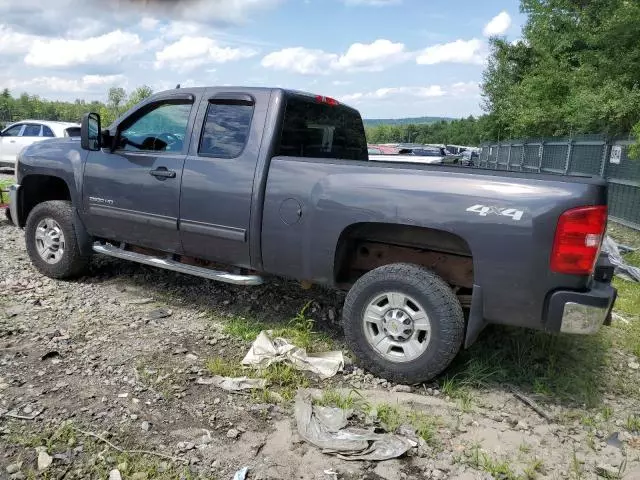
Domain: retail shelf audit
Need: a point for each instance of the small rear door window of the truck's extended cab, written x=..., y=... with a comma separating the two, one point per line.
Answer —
x=226, y=128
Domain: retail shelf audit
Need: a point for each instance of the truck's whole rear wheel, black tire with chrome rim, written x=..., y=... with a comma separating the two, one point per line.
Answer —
x=403, y=323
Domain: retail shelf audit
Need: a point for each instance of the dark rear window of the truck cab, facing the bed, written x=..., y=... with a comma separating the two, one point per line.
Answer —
x=317, y=127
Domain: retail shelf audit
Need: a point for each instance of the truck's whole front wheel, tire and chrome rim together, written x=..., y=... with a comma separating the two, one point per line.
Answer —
x=51, y=241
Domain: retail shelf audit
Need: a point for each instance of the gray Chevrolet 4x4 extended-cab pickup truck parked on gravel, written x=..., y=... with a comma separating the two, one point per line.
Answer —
x=236, y=184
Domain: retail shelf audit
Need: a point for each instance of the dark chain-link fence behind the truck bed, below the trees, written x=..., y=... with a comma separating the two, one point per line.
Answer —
x=588, y=155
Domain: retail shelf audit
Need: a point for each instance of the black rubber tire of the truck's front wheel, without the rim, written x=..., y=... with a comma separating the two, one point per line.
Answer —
x=72, y=263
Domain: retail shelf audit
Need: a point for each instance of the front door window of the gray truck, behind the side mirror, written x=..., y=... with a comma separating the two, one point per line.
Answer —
x=161, y=129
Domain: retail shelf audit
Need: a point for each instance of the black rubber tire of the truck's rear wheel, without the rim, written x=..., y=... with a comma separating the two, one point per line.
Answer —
x=435, y=297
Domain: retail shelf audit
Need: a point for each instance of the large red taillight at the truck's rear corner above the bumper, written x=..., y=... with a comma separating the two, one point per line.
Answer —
x=578, y=239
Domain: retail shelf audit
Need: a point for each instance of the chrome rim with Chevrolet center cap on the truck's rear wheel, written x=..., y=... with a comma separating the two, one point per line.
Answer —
x=397, y=327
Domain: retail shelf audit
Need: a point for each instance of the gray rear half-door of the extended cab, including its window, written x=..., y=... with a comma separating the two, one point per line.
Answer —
x=218, y=176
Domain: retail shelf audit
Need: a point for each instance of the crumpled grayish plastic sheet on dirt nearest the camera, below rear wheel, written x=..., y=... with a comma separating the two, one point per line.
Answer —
x=325, y=427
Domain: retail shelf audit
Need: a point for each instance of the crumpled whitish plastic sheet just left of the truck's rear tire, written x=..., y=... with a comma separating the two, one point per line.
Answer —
x=265, y=351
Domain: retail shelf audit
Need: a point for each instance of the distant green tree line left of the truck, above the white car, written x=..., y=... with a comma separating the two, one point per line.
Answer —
x=32, y=106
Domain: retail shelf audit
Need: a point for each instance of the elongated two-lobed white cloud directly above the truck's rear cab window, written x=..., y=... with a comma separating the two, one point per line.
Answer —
x=371, y=57
